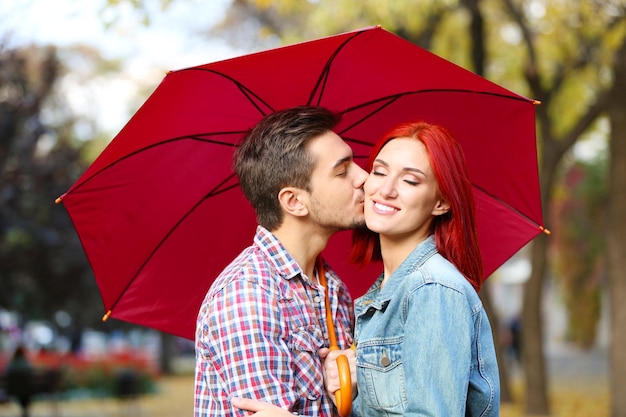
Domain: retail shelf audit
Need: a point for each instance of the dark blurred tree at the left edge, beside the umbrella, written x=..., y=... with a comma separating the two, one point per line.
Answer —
x=42, y=266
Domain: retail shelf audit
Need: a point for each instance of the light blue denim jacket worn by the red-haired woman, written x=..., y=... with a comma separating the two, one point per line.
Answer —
x=424, y=344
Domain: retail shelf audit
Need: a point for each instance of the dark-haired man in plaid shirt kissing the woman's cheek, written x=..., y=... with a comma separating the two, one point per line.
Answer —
x=261, y=324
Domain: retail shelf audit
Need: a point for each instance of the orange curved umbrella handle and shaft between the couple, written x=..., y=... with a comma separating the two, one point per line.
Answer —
x=343, y=395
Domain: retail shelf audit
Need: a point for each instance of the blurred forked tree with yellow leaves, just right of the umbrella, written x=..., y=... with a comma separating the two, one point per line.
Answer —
x=568, y=66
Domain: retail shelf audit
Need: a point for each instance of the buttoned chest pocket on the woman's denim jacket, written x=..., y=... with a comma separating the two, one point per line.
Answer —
x=380, y=366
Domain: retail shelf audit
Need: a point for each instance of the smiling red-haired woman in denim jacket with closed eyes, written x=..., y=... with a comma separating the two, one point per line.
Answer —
x=424, y=342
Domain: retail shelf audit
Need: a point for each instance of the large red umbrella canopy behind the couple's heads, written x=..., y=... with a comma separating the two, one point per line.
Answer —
x=159, y=212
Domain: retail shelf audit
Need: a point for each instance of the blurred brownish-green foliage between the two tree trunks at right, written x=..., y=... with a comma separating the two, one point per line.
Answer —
x=578, y=218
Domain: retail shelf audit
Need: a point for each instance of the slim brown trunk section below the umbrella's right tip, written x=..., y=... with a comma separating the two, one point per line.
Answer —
x=536, y=399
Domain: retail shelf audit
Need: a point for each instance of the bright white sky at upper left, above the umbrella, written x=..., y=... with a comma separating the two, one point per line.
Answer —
x=171, y=41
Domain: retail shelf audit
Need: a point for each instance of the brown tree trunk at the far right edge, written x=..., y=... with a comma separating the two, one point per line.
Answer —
x=616, y=235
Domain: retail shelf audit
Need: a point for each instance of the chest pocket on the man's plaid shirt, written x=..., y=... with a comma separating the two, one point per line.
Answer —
x=305, y=343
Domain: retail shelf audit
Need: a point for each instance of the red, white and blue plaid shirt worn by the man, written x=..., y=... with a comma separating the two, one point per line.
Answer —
x=259, y=330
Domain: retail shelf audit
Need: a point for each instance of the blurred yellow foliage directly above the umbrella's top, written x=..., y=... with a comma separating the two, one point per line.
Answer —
x=257, y=24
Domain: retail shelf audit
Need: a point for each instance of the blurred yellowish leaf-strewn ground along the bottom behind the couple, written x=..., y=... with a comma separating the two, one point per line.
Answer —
x=174, y=398
